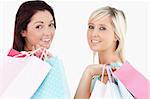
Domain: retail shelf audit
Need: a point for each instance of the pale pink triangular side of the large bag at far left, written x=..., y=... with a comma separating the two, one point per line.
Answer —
x=9, y=69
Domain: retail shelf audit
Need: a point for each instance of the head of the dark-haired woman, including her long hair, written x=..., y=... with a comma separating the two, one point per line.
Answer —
x=34, y=26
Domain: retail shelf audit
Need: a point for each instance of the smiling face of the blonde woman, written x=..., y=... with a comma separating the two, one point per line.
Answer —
x=100, y=34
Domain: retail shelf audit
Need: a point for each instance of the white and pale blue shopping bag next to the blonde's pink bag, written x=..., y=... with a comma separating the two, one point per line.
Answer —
x=115, y=89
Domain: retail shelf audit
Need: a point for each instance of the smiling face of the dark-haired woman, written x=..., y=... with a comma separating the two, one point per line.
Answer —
x=40, y=30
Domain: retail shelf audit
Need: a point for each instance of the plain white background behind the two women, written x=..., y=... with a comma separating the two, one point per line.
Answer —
x=70, y=42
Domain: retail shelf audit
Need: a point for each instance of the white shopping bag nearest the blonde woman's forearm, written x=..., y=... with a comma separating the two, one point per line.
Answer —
x=99, y=88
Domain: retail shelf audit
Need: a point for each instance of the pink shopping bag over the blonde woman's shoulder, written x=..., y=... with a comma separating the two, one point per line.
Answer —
x=134, y=81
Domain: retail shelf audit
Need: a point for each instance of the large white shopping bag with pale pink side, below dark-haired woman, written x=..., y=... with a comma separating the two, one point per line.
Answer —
x=21, y=77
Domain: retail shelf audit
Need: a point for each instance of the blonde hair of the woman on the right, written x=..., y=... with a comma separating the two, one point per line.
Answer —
x=119, y=24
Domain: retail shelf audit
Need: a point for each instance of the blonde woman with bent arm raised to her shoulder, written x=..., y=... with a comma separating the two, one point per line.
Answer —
x=106, y=29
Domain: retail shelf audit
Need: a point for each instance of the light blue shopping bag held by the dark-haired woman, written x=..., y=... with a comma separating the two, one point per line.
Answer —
x=54, y=85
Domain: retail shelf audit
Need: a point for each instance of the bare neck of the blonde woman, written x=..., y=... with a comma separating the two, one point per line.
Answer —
x=108, y=57
